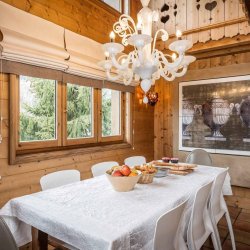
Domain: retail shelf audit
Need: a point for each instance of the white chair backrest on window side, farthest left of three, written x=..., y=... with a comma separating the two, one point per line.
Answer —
x=59, y=178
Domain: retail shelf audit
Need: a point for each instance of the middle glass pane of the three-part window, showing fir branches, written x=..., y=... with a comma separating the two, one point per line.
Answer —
x=79, y=111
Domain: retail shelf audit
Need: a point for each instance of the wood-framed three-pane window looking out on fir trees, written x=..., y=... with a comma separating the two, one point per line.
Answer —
x=50, y=115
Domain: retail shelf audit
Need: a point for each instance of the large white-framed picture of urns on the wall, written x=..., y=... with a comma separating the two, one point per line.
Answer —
x=214, y=115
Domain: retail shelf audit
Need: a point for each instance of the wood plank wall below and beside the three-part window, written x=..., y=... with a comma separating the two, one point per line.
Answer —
x=17, y=180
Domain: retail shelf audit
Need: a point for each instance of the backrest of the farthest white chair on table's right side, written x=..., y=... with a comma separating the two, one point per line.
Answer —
x=215, y=201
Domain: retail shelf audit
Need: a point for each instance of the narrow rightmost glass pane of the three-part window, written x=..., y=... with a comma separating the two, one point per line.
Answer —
x=111, y=112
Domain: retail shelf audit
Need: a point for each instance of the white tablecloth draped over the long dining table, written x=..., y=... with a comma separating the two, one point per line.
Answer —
x=91, y=215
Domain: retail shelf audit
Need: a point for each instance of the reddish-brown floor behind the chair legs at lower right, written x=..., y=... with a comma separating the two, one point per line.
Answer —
x=241, y=225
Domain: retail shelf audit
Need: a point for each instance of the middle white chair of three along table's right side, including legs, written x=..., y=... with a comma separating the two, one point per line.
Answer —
x=200, y=226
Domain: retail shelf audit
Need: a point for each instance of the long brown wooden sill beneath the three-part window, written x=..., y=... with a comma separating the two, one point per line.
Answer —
x=33, y=157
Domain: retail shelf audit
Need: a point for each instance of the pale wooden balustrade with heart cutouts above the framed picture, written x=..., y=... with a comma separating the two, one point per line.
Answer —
x=204, y=15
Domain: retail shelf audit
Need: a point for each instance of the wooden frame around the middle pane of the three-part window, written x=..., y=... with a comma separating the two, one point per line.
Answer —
x=79, y=141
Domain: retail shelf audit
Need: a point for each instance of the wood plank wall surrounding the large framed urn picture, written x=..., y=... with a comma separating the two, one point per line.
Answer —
x=166, y=121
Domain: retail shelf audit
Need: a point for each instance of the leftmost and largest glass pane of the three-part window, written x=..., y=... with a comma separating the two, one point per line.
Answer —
x=37, y=109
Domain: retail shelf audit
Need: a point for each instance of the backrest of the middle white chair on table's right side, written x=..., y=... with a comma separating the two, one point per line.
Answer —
x=197, y=225
